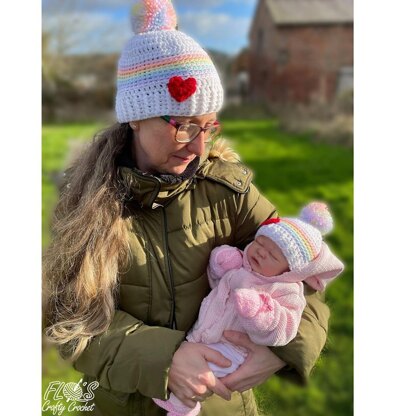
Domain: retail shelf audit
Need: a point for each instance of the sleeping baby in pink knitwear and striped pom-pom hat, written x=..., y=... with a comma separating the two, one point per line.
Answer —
x=259, y=291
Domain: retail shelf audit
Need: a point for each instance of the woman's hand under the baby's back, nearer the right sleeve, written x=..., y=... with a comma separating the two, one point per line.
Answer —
x=259, y=365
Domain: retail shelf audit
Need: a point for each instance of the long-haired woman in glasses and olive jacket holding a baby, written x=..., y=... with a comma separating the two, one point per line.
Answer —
x=141, y=211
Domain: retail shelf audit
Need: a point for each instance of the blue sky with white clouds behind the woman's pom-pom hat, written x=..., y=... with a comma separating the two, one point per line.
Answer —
x=98, y=26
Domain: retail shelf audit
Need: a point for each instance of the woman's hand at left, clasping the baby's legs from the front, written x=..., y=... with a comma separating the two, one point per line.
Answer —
x=191, y=379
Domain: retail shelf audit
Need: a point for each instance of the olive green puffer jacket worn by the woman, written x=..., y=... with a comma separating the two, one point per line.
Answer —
x=173, y=229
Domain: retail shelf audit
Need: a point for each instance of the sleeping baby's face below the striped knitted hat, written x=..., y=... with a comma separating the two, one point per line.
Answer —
x=266, y=258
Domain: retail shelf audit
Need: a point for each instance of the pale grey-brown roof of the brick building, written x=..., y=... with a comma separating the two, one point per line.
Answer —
x=294, y=12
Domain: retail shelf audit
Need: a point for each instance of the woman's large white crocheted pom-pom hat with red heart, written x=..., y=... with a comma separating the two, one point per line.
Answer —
x=162, y=71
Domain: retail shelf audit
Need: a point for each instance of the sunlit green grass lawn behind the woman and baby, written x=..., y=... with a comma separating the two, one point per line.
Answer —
x=291, y=171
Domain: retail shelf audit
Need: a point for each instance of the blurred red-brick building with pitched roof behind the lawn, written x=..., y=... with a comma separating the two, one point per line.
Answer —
x=301, y=51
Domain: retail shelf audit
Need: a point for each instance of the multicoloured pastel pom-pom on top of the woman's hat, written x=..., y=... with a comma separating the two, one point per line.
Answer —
x=152, y=15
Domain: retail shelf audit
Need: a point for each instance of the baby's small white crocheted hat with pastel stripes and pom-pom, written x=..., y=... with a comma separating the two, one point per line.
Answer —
x=300, y=239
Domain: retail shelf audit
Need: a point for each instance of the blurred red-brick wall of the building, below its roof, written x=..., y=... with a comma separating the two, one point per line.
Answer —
x=297, y=64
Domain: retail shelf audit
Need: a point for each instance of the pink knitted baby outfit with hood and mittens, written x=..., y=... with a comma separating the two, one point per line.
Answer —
x=268, y=309
